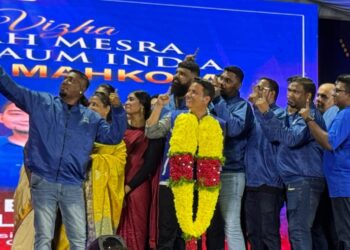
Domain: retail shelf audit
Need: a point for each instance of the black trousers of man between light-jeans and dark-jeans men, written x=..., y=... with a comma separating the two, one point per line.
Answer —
x=262, y=215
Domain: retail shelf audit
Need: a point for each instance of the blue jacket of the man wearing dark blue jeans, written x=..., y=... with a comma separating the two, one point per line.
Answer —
x=299, y=155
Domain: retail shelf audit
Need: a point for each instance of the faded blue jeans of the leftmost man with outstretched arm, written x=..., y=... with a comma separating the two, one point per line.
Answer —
x=46, y=198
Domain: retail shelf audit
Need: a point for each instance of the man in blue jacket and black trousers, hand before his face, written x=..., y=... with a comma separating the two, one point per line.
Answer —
x=264, y=186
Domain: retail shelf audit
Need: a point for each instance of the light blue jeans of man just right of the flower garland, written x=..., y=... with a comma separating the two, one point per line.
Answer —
x=232, y=188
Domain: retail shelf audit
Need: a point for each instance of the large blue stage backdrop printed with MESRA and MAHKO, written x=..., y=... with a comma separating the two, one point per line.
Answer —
x=138, y=44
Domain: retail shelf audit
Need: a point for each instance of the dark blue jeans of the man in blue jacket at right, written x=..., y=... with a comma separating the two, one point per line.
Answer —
x=303, y=198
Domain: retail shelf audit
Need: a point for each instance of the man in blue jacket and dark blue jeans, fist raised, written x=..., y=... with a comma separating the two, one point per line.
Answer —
x=299, y=159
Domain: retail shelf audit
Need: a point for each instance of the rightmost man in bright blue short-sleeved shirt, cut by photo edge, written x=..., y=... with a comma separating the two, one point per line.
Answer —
x=337, y=158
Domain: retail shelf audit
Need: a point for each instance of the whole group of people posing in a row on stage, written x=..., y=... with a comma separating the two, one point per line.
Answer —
x=195, y=161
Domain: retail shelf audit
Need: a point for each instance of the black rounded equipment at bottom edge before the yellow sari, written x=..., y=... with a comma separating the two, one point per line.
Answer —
x=108, y=242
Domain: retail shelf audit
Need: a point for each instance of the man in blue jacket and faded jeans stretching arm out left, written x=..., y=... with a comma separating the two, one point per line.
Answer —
x=62, y=133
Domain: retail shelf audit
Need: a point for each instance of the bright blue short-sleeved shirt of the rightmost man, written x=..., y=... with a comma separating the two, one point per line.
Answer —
x=337, y=161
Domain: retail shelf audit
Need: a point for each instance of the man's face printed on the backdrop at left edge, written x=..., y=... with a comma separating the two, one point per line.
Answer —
x=15, y=119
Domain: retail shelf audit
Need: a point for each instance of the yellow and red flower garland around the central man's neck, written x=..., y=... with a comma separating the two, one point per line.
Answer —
x=188, y=138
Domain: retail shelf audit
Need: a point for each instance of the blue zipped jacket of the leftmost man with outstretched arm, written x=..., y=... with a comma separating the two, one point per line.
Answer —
x=61, y=137
